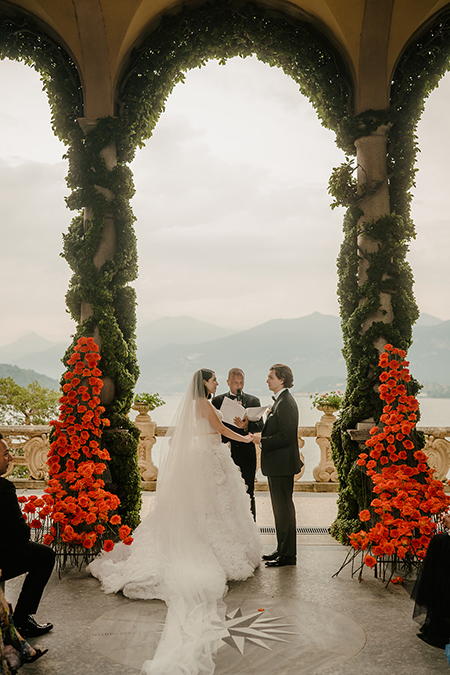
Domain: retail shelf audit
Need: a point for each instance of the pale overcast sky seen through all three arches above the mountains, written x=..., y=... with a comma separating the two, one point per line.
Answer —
x=233, y=218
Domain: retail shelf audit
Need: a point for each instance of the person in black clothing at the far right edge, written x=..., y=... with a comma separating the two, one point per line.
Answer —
x=432, y=591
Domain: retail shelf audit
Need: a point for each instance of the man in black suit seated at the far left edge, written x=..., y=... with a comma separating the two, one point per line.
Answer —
x=19, y=555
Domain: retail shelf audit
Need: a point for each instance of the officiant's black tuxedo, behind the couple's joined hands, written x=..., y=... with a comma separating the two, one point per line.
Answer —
x=243, y=454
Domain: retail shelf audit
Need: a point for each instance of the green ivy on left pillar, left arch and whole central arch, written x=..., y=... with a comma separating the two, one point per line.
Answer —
x=182, y=41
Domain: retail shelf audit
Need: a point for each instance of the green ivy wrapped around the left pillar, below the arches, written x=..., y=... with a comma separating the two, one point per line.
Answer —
x=107, y=193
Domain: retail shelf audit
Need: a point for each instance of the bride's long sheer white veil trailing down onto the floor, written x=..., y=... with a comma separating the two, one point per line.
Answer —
x=192, y=580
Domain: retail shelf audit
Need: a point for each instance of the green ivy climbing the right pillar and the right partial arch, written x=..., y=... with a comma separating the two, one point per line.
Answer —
x=417, y=74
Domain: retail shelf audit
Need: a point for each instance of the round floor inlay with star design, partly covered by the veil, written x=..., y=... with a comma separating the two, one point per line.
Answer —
x=262, y=635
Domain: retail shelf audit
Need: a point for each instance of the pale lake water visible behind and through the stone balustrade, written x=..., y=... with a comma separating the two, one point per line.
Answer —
x=434, y=412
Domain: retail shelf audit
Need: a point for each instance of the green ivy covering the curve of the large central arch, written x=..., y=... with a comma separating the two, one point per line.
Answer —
x=188, y=38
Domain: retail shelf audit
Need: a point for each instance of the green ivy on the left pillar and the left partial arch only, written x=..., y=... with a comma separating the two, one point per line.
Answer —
x=112, y=302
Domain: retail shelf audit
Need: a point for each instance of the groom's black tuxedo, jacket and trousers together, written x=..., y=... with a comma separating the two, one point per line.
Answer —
x=280, y=461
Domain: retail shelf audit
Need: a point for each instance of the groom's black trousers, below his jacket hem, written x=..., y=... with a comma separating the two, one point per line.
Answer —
x=281, y=489
